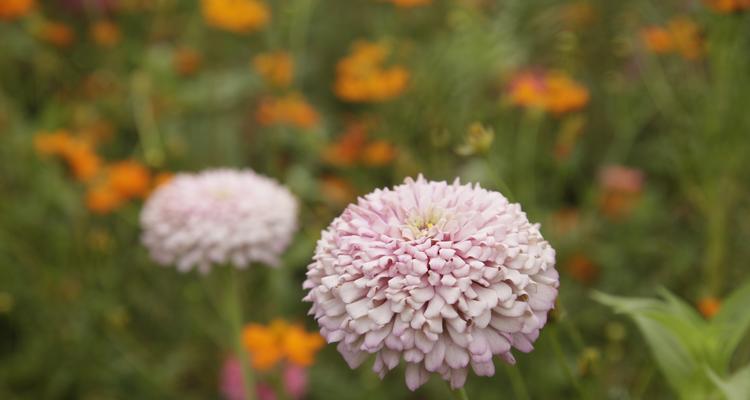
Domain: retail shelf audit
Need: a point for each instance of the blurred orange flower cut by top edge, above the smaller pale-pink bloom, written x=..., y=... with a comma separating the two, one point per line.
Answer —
x=239, y=16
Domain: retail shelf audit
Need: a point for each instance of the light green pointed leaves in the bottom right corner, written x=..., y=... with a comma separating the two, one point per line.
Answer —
x=693, y=353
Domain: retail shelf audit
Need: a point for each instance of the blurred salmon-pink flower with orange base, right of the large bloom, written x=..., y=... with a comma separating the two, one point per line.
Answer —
x=621, y=188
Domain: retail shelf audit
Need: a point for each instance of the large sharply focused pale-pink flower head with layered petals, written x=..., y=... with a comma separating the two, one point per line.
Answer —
x=440, y=275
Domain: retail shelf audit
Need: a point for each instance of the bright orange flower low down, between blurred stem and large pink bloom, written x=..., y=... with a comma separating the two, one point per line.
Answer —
x=280, y=340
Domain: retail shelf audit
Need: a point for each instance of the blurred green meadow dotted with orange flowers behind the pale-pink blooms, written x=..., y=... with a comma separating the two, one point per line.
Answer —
x=621, y=126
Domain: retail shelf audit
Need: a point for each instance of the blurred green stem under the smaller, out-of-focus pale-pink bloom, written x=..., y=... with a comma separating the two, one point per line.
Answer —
x=234, y=315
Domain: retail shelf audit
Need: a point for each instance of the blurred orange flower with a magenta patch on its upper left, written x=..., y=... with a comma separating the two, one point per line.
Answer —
x=554, y=92
